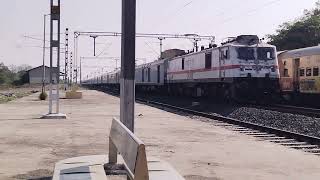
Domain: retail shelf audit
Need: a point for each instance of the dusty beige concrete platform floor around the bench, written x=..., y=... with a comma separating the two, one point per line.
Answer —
x=197, y=149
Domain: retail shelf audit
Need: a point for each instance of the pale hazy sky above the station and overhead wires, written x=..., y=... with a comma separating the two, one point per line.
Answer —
x=21, y=18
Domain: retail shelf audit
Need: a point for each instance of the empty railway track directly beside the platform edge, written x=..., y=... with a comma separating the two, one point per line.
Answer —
x=302, y=142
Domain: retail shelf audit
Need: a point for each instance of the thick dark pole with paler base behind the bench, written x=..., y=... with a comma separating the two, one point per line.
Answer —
x=127, y=84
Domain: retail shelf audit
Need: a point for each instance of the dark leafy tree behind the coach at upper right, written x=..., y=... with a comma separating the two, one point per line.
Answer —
x=303, y=32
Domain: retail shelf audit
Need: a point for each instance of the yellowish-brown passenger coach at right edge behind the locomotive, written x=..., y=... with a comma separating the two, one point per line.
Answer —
x=299, y=70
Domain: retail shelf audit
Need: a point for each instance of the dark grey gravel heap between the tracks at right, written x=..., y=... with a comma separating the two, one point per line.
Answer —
x=286, y=121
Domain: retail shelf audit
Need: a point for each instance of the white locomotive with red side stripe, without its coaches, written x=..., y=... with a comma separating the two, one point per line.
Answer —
x=240, y=67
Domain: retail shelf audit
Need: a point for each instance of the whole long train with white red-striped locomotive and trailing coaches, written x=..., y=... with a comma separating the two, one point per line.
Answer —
x=242, y=68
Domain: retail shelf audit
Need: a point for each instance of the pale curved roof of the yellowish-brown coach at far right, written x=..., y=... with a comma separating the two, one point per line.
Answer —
x=309, y=51
